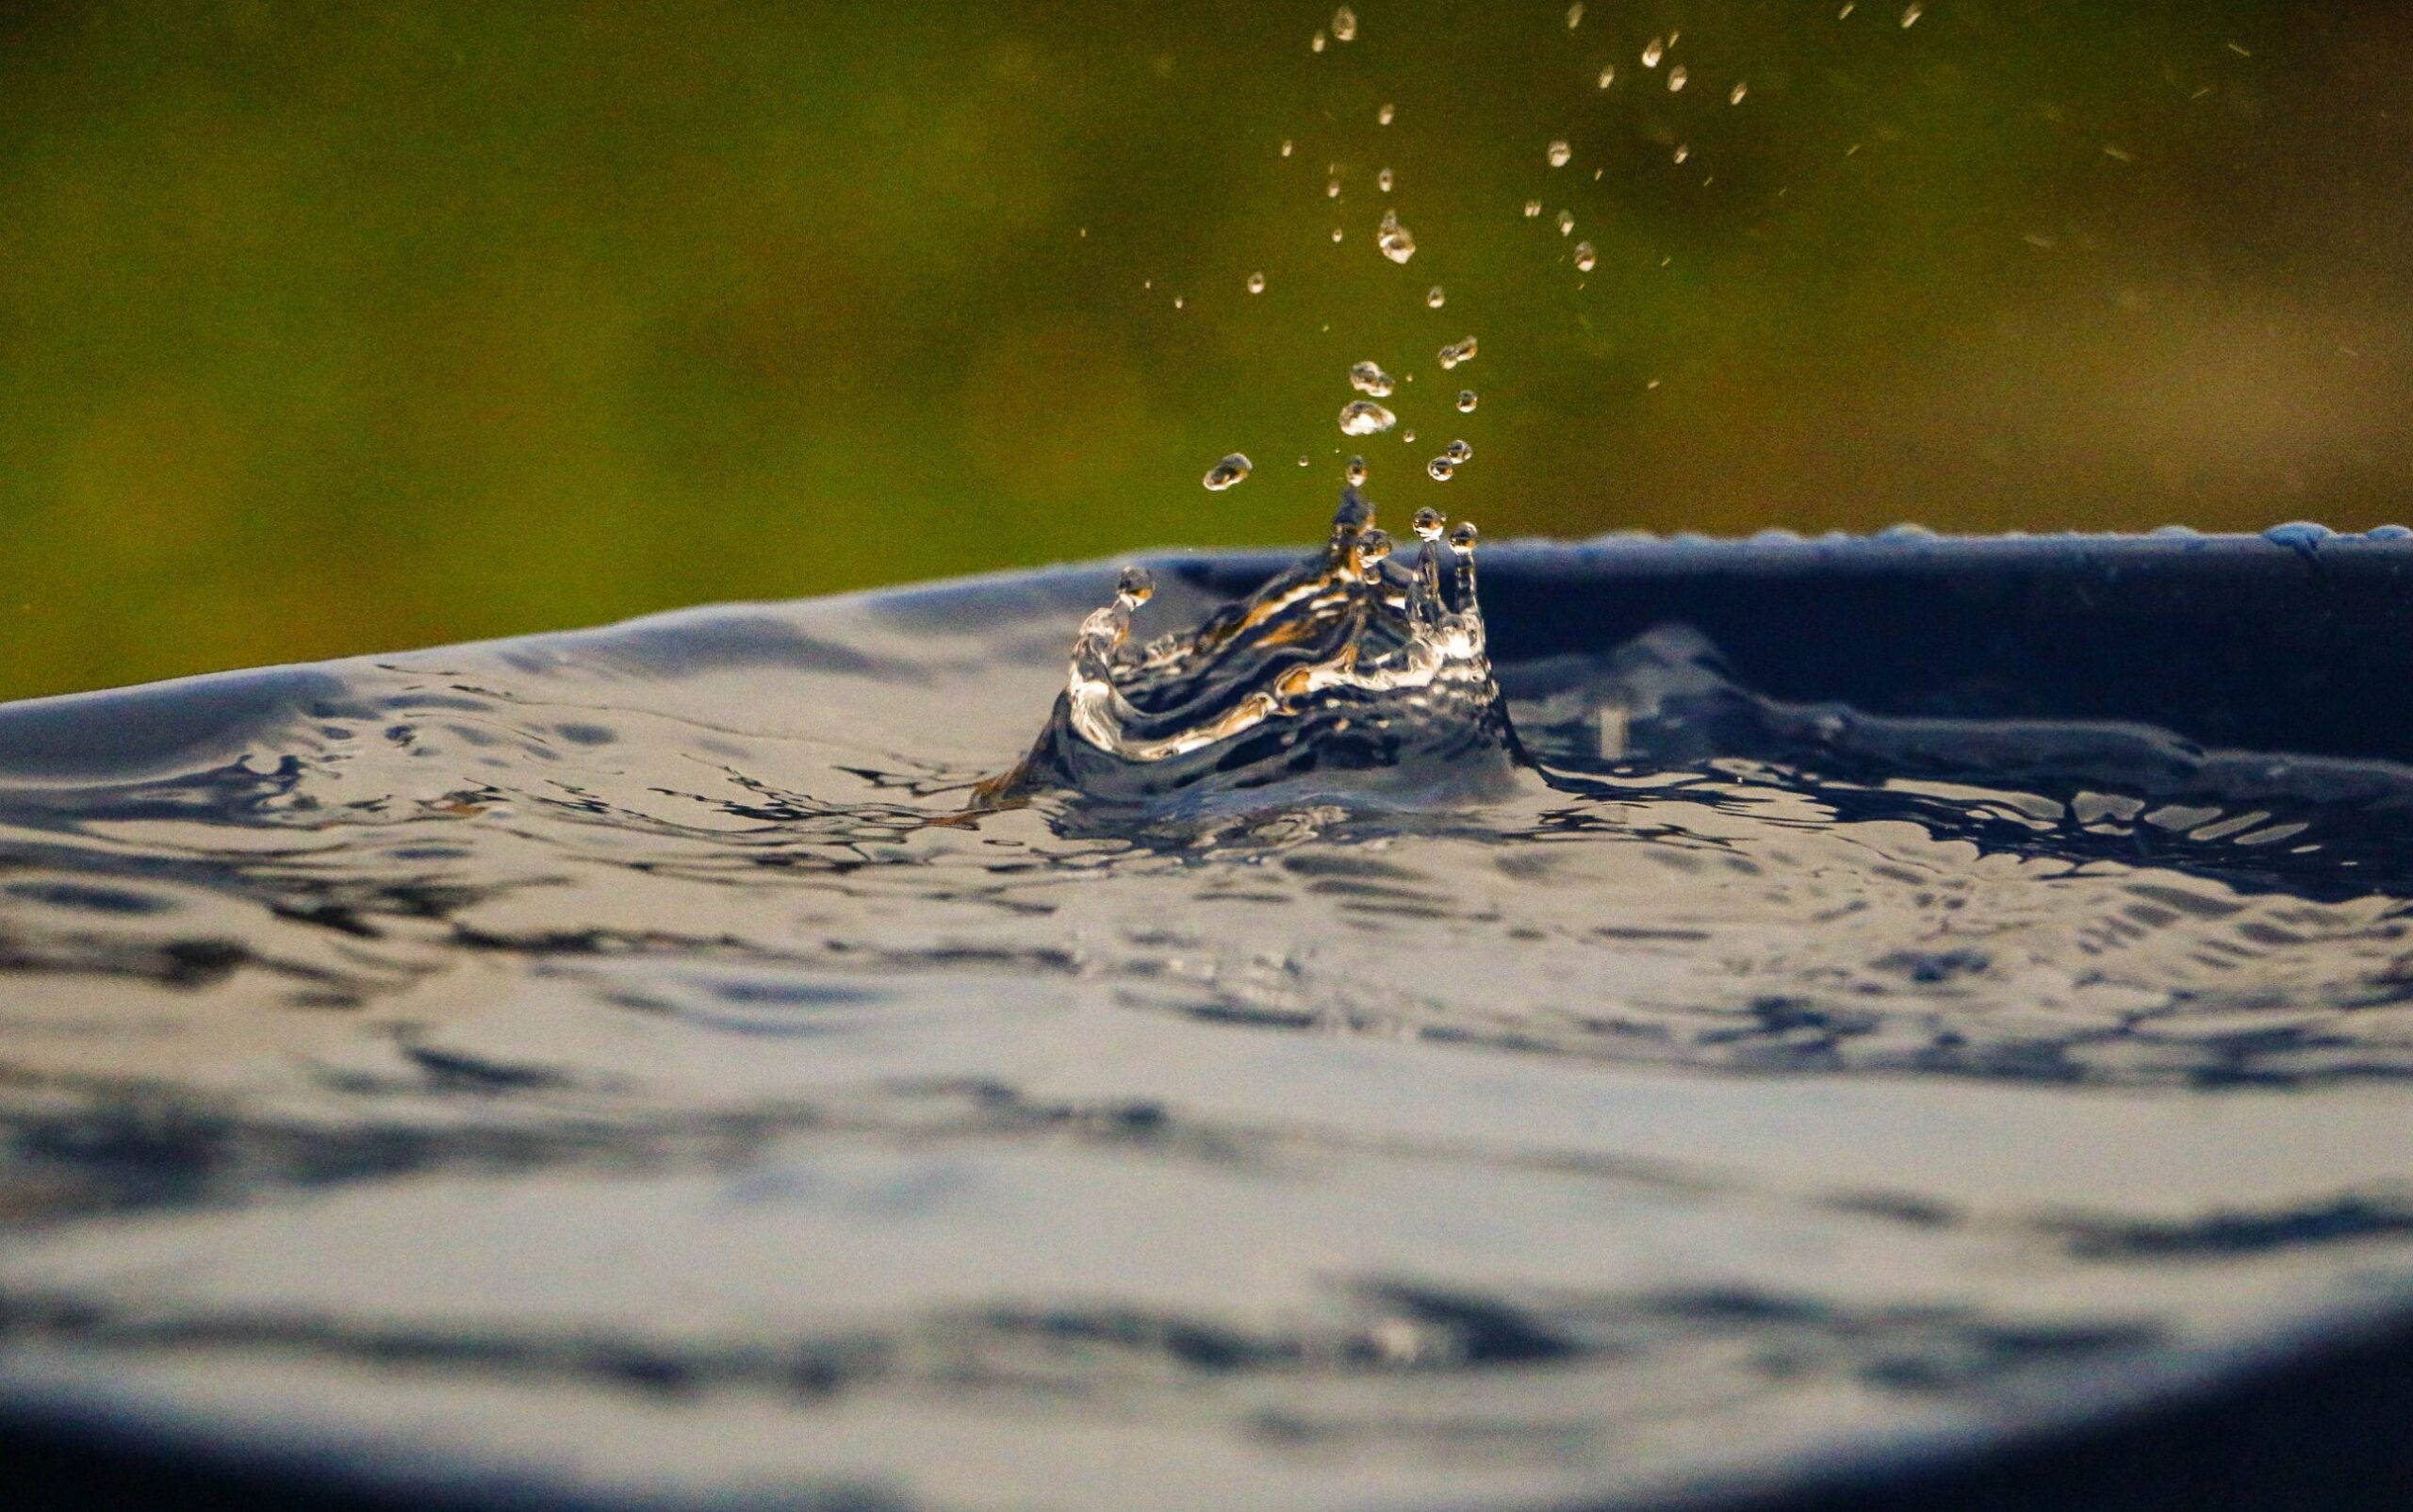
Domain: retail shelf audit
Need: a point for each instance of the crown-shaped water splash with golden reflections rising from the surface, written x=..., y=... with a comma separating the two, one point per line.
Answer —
x=1350, y=662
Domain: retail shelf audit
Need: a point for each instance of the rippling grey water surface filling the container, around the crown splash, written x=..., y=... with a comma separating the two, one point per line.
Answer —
x=621, y=1060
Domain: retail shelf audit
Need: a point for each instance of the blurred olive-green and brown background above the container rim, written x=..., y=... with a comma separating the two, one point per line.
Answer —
x=354, y=327
